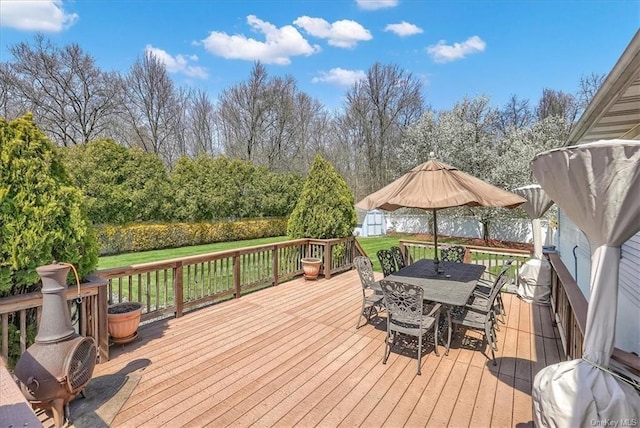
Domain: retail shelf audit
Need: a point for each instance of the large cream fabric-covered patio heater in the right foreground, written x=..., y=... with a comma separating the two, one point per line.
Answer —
x=597, y=186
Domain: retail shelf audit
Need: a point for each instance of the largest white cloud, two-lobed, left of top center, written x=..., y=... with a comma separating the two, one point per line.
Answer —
x=279, y=46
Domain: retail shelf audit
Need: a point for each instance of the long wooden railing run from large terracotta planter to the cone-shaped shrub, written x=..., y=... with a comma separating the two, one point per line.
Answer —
x=171, y=287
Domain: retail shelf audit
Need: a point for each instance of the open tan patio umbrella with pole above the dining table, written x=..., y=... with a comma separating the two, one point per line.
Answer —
x=435, y=185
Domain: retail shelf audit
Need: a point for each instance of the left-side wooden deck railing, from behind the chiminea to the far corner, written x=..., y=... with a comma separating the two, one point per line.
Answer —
x=172, y=287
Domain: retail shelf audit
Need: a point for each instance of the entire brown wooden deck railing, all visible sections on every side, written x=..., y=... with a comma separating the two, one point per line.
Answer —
x=171, y=287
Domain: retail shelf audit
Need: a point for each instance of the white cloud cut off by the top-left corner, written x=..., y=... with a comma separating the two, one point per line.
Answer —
x=35, y=15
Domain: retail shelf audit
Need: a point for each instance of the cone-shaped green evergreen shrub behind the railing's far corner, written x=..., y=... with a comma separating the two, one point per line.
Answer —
x=325, y=208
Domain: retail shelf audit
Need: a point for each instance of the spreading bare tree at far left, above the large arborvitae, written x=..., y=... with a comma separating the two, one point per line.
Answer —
x=71, y=98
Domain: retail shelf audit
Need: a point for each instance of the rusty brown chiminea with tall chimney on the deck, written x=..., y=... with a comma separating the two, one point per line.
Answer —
x=60, y=363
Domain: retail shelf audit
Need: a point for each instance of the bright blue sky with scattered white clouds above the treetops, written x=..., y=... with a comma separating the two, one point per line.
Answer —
x=457, y=48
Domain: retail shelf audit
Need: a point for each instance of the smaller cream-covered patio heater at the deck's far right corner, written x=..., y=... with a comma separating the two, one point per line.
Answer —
x=534, y=276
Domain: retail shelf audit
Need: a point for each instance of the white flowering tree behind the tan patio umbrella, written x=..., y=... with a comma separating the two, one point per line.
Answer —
x=473, y=138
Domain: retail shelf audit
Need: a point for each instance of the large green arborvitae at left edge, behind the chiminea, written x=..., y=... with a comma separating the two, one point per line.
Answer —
x=41, y=214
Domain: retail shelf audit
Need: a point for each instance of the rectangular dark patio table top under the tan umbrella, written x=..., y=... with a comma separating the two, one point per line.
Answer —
x=452, y=286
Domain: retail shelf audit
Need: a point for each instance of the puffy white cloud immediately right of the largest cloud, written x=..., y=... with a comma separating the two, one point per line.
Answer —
x=342, y=34
